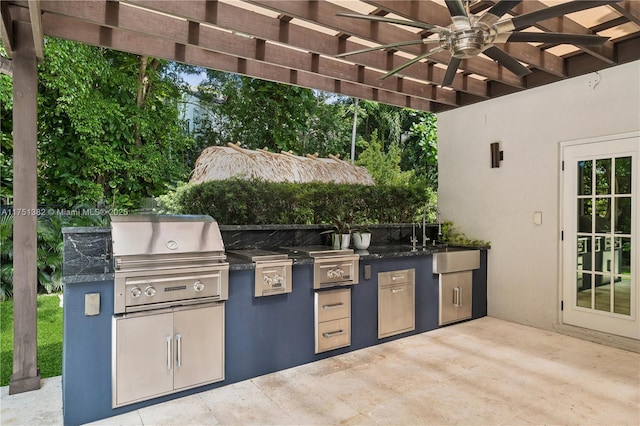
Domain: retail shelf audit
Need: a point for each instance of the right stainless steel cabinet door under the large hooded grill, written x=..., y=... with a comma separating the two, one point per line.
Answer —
x=199, y=346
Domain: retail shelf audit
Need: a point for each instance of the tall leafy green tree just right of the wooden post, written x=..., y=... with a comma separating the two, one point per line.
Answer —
x=108, y=127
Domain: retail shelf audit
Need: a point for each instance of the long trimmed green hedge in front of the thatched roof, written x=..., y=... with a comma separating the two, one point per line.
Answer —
x=257, y=202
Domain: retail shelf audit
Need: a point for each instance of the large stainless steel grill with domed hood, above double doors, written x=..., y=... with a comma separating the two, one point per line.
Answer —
x=162, y=261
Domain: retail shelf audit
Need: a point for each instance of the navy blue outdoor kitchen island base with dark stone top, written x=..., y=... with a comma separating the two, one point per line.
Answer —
x=261, y=334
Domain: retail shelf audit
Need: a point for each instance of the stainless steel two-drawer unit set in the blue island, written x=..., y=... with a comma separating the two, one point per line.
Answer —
x=332, y=319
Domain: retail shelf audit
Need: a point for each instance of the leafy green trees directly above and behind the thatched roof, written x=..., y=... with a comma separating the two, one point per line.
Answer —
x=259, y=113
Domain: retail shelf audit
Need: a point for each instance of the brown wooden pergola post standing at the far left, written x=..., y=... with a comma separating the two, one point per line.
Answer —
x=26, y=376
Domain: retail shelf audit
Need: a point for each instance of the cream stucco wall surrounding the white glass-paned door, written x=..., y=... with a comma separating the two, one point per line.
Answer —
x=498, y=204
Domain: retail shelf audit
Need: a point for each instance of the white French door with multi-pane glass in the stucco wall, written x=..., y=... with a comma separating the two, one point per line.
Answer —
x=600, y=253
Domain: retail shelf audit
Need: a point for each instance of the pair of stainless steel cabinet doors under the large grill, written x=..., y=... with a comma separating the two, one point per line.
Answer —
x=166, y=351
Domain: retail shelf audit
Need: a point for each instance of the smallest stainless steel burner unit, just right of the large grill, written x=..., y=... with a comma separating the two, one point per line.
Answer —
x=273, y=271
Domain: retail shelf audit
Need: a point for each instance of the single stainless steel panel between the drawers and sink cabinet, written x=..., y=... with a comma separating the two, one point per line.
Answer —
x=396, y=302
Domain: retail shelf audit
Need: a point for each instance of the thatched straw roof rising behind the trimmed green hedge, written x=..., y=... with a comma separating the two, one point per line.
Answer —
x=220, y=162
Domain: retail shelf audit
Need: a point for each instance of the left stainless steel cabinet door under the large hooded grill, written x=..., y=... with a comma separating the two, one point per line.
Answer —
x=143, y=362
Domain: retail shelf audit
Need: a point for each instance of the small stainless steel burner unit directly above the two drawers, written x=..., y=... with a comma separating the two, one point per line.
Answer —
x=331, y=268
